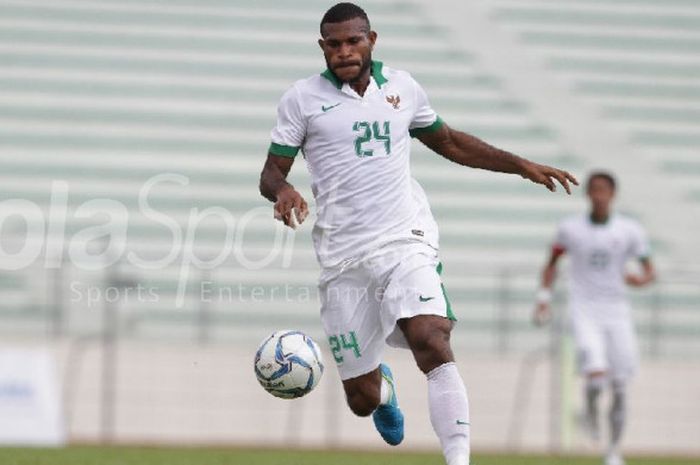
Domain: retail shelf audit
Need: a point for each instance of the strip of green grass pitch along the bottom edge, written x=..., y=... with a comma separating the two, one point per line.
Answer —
x=88, y=455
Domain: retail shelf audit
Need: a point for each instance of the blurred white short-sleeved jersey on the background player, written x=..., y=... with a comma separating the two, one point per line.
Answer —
x=598, y=256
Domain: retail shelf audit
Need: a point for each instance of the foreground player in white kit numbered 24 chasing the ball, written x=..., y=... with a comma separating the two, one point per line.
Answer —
x=375, y=237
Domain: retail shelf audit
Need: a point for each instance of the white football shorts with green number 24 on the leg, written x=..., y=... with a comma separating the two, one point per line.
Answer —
x=362, y=301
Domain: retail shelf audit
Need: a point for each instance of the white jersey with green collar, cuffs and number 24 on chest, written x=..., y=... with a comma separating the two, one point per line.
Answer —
x=357, y=151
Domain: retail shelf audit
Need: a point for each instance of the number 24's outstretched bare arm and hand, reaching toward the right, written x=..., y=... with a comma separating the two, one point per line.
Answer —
x=471, y=151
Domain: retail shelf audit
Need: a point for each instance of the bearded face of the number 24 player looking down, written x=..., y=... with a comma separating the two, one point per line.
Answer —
x=347, y=47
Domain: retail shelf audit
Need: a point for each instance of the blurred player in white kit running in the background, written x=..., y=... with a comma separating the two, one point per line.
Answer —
x=599, y=246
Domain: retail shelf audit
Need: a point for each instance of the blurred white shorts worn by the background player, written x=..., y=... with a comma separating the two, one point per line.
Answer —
x=605, y=344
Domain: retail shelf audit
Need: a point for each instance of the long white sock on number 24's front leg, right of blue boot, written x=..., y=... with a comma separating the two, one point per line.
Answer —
x=449, y=412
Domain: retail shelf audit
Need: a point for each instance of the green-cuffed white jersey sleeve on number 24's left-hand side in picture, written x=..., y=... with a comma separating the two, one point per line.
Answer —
x=288, y=134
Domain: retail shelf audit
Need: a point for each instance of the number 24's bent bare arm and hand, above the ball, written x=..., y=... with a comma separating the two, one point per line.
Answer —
x=275, y=188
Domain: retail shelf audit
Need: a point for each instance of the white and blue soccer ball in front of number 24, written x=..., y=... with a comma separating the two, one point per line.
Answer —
x=288, y=364
